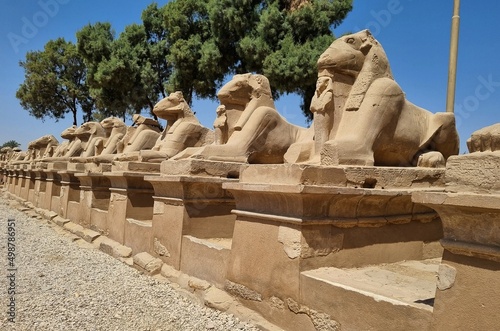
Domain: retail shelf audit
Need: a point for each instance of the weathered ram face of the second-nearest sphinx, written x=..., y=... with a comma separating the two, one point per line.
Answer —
x=242, y=88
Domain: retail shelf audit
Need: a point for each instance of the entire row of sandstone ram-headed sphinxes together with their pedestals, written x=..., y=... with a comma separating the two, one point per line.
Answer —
x=316, y=236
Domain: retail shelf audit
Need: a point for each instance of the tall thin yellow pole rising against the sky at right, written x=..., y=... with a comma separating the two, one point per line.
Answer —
x=452, y=69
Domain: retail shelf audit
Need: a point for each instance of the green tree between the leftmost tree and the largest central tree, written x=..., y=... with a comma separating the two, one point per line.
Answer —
x=126, y=74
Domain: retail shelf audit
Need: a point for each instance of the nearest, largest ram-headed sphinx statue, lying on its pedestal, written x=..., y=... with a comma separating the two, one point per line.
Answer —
x=371, y=122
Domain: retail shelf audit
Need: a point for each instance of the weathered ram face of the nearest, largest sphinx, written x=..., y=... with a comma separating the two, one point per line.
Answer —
x=347, y=54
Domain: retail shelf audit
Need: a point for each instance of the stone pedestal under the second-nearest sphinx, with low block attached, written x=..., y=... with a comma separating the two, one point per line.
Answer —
x=192, y=221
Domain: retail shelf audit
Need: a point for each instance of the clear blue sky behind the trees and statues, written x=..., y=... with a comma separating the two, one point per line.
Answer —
x=415, y=35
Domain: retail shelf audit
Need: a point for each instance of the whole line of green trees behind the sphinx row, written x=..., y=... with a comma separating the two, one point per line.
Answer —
x=186, y=45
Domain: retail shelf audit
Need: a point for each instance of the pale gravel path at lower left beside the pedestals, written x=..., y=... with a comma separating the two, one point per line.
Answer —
x=64, y=285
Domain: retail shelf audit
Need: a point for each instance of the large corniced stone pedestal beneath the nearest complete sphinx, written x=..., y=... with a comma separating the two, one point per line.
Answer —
x=293, y=218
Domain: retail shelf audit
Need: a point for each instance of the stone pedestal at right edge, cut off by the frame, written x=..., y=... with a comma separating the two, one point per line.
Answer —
x=468, y=286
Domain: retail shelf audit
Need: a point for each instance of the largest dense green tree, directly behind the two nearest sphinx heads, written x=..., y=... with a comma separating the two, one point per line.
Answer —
x=281, y=39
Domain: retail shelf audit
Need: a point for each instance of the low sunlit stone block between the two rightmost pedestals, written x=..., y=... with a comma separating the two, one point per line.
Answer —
x=388, y=297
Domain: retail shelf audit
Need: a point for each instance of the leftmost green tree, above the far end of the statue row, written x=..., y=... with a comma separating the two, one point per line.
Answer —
x=54, y=82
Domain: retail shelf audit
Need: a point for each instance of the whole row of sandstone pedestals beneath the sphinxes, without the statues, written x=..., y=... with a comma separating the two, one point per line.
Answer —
x=301, y=244
